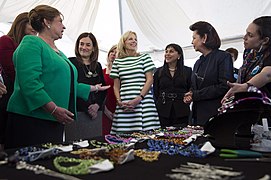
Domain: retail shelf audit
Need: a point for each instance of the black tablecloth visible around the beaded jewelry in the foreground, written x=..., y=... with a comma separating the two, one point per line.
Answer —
x=139, y=169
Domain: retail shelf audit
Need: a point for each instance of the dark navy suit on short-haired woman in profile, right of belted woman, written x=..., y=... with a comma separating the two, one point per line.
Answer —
x=209, y=84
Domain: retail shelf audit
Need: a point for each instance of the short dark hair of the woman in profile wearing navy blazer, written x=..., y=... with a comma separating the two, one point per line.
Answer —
x=213, y=41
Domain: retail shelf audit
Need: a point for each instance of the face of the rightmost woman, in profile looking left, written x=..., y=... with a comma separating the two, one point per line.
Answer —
x=252, y=38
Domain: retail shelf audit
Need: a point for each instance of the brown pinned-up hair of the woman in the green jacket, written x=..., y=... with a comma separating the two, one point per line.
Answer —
x=41, y=12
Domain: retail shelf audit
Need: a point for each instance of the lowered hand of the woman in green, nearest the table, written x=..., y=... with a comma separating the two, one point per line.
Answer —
x=63, y=116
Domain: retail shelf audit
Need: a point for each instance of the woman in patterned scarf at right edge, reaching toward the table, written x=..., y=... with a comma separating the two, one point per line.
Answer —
x=257, y=58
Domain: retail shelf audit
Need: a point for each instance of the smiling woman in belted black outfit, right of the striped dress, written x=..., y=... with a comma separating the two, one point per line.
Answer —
x=171, y=82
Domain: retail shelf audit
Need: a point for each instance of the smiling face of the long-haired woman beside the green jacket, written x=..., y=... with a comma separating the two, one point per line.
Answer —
x=85, y=47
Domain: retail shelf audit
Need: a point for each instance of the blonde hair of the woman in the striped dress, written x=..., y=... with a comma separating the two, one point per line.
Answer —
x=121, y=49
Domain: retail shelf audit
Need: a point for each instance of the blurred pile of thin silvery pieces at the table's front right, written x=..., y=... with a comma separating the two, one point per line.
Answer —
x=204, y=172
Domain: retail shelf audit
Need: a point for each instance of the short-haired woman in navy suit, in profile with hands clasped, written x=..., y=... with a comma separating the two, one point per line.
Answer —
x=210, y=73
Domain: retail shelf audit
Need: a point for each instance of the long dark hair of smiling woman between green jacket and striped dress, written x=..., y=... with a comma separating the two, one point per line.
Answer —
x=94, y=55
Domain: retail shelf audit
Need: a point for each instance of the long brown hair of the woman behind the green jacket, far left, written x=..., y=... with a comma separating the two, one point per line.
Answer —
x=17, y=30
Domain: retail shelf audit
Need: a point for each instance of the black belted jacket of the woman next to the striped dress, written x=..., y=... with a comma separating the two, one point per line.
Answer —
x=179, y=84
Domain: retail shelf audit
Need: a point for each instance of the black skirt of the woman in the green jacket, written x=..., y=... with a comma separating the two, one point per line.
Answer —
x=25, y=131
